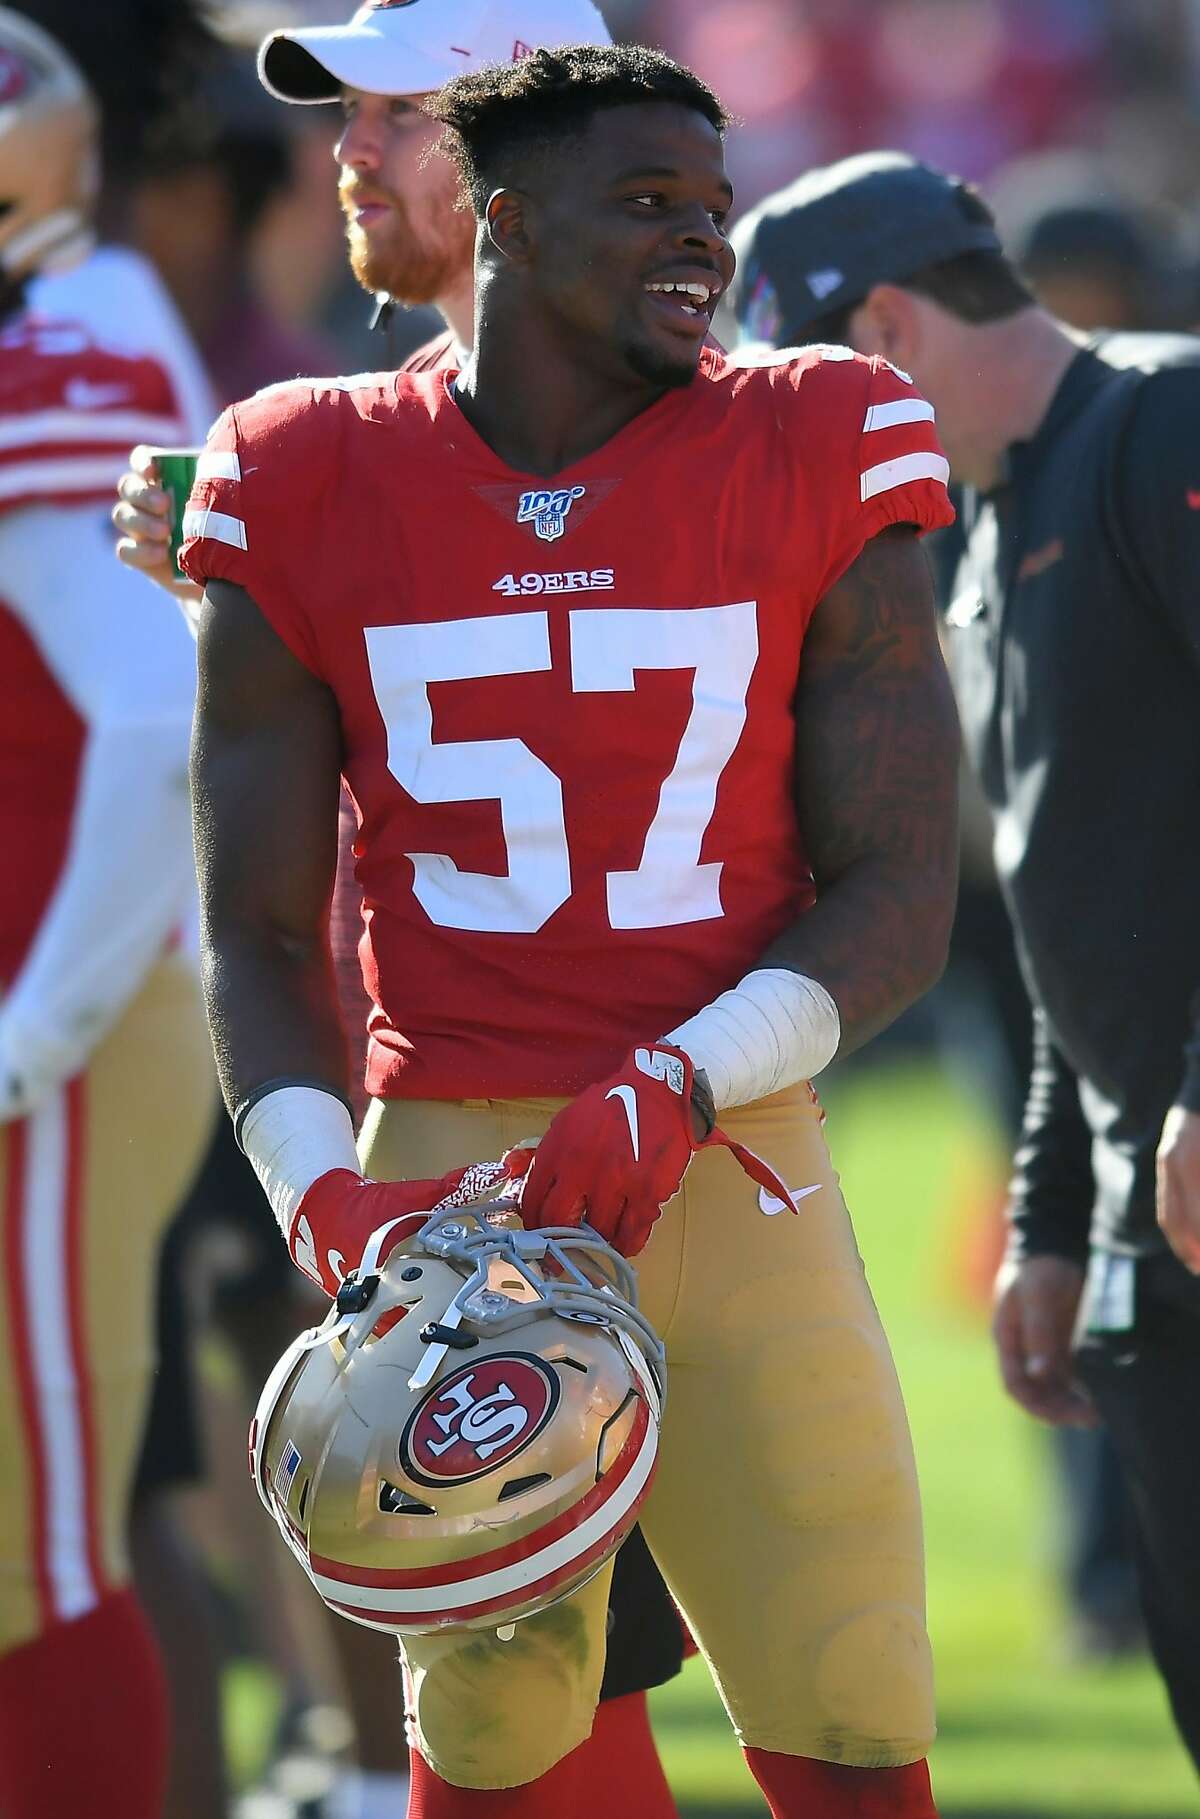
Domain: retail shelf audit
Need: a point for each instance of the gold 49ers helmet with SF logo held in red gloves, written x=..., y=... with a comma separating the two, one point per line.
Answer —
x=472, y=1432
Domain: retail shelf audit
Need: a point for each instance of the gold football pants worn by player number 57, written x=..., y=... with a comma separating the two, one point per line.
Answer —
x=785, y=1514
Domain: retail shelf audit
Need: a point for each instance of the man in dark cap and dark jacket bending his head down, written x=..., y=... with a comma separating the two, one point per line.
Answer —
x=1075, y=647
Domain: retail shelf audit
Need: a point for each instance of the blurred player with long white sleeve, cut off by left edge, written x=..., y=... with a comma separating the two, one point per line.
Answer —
x=105, y=1081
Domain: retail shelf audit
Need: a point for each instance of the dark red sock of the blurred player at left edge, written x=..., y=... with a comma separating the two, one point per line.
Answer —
x=85, y=1720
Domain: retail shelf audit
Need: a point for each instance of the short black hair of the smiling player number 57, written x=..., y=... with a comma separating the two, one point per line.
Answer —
x=495, y=117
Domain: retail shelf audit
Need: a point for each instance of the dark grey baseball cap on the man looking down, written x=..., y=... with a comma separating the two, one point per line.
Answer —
x=830, y=237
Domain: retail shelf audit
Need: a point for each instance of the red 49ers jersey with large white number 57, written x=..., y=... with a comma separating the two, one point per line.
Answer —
x=568, y=707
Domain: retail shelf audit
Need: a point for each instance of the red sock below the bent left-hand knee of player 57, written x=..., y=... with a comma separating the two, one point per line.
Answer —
x=617, y=1773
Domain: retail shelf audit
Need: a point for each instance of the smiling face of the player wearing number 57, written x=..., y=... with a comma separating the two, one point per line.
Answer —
x=628, y=239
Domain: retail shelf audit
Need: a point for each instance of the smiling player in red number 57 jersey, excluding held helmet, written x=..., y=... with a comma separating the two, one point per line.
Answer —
x=628, y=658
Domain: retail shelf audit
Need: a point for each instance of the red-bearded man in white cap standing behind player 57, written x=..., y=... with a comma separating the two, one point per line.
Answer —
x=414, y=245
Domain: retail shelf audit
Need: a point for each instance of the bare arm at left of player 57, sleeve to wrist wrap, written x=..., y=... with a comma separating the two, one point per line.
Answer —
x=265, y=772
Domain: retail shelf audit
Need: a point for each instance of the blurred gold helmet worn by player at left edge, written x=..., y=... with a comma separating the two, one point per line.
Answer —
x=50, y=161
